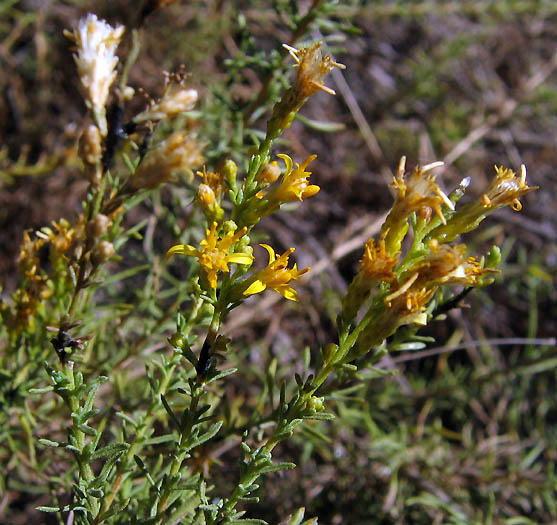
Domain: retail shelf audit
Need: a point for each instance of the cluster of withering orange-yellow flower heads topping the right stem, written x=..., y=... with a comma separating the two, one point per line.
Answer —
x=398, y=292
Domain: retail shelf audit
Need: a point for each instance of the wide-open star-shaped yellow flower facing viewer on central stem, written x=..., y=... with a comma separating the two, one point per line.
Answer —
x=213, y=255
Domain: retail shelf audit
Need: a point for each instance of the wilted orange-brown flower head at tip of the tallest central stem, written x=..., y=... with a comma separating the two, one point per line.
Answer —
x=312, y=68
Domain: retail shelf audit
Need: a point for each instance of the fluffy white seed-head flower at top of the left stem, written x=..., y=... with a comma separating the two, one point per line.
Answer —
x=96, y=42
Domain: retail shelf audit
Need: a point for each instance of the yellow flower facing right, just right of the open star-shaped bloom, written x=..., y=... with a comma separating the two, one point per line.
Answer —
x=276, y=276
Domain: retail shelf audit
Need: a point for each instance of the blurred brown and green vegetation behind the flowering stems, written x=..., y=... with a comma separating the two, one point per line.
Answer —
x=466, y=431
